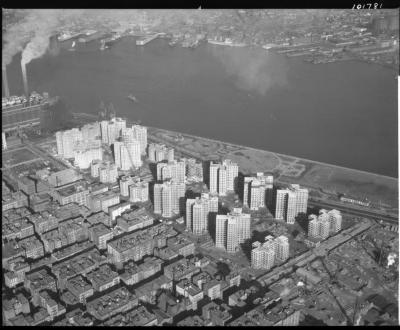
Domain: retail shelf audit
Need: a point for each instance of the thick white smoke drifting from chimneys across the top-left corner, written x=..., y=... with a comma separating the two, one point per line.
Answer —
x=29, y=30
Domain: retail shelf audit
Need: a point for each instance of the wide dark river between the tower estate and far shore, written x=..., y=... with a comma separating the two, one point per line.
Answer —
x=340, y=113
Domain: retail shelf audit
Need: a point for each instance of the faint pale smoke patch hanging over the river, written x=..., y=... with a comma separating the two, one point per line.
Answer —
x=253, y=70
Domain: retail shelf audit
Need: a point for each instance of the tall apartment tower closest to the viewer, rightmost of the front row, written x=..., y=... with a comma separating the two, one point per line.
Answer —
x=232, y=230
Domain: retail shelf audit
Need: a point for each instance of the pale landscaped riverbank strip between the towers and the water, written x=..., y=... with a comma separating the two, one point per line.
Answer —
x=331, y=179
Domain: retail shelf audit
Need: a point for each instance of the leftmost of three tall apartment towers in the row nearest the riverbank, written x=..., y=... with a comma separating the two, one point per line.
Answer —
x=223, y=177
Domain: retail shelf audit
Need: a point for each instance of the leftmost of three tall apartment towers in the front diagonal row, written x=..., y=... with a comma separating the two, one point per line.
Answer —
x=167, y=197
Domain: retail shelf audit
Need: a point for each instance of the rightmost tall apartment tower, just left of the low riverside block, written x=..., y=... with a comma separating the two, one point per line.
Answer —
x=290, y=202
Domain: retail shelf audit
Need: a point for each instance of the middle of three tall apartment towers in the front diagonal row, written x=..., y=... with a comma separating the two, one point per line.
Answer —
x=197, y=213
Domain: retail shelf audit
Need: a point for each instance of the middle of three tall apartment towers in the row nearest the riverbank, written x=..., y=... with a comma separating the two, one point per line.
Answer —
x=258, y=191
